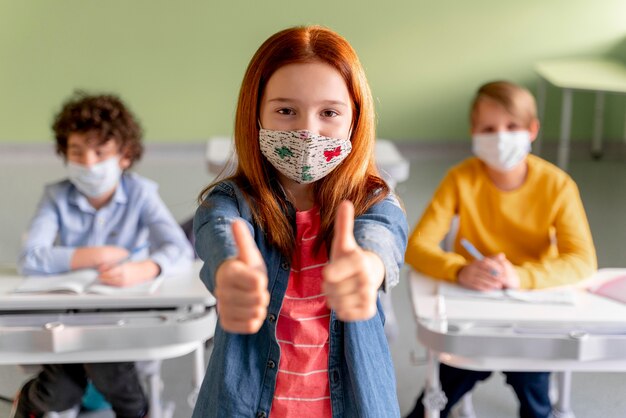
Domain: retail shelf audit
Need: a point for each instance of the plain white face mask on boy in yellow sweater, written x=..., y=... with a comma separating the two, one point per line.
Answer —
x=501, y=150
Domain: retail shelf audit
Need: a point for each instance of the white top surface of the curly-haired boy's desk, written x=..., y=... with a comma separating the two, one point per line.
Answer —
x=182, y=289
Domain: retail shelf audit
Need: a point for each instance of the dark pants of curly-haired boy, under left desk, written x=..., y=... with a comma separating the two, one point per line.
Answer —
x=61, y=386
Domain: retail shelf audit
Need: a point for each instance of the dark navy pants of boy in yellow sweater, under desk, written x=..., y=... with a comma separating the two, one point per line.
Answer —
x=531, y=389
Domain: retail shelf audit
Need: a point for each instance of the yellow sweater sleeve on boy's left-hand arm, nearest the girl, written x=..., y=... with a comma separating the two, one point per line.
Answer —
x=424, y=252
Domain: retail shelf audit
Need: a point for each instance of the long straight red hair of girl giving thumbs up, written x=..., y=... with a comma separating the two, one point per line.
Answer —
x=355, y=179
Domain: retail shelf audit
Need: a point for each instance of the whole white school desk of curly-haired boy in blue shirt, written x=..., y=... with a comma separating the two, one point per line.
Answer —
x=58, y=328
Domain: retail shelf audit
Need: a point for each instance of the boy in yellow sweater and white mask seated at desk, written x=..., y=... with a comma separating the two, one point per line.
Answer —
x=523, y=213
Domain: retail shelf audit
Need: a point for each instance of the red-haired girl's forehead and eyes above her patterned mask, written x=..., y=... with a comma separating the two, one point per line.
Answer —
x=308, y=96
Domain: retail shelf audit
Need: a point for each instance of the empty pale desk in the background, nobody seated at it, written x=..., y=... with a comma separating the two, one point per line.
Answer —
x=595, y=75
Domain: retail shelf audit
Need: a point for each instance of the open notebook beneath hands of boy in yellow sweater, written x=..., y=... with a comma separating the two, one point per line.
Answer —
x=562, y=295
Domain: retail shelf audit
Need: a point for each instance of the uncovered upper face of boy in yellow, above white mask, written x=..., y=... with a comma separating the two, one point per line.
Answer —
x=491, y=117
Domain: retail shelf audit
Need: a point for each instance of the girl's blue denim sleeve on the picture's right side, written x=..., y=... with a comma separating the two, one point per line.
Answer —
x=383, y=230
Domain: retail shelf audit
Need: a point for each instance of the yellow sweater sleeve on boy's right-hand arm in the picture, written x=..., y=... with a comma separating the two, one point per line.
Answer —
x=577, y=256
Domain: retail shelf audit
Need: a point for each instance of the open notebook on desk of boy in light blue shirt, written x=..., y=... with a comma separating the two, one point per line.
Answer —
x=82, y=282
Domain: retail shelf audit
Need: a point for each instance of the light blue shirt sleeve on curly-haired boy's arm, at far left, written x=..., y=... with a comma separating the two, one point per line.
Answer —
x=39, y=254
